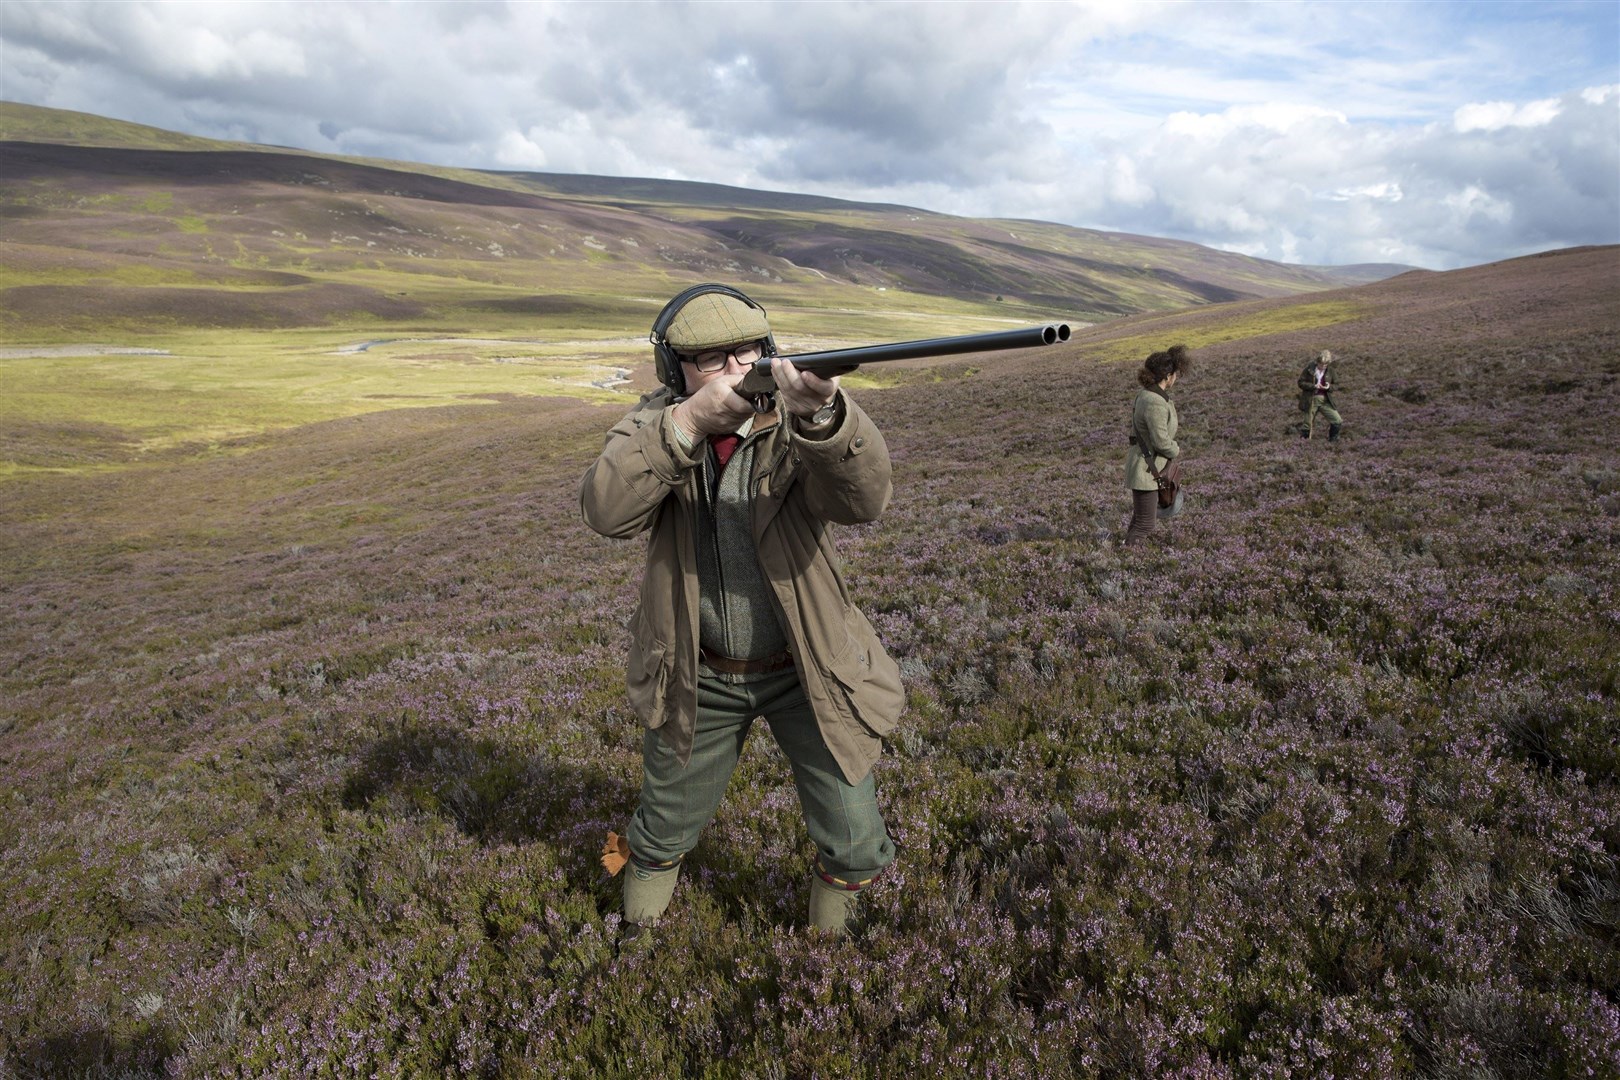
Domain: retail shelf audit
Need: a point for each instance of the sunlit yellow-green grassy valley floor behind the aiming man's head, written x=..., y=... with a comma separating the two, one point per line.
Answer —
x=223, y=386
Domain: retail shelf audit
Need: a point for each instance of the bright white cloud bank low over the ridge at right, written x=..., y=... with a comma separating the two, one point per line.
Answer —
x=1307, y=184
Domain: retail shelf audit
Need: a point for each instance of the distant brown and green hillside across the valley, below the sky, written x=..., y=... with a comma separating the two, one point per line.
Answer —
x=106, y=216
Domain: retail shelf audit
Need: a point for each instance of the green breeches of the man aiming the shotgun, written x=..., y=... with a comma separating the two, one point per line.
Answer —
x=851, y=841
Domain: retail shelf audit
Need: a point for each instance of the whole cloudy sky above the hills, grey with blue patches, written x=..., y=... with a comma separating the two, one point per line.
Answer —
x=1438, y=135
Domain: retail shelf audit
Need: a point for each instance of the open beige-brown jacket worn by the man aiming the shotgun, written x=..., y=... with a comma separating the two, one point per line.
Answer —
x=644, y=482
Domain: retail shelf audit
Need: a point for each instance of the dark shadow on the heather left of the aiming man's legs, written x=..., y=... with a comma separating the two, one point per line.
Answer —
x=492, y=793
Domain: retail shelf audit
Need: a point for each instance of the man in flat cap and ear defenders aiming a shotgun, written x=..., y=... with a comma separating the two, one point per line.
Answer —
x=744, y=611
